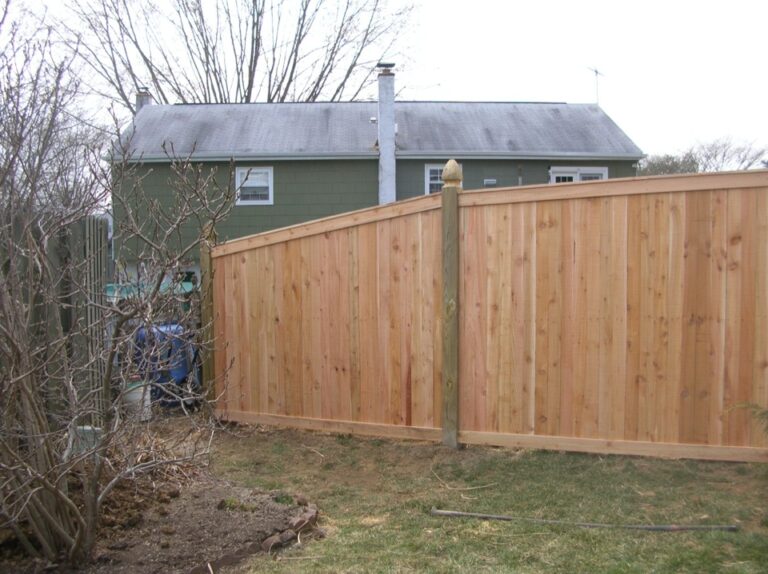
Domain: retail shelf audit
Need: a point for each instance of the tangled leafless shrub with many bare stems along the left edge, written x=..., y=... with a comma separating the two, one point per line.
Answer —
x=67, y=353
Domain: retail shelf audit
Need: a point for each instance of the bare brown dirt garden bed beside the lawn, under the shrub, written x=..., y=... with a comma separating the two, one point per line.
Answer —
x=182, y=530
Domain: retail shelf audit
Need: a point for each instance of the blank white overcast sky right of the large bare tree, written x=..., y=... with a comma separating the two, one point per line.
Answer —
x=676, y=72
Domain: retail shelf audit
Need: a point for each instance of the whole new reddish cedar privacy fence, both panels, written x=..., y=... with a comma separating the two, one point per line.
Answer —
x=626, y=316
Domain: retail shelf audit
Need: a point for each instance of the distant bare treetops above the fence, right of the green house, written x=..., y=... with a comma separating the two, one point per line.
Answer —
x=722, y=154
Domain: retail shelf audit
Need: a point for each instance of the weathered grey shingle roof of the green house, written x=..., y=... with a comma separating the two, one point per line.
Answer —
x=345, y=130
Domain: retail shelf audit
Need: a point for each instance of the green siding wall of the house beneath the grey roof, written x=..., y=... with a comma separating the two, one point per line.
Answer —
x=306, y=190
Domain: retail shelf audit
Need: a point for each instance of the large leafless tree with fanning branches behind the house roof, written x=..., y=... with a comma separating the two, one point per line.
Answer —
x=234, y=50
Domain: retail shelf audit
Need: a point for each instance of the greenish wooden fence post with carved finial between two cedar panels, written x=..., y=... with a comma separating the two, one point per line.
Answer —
x=452, y=177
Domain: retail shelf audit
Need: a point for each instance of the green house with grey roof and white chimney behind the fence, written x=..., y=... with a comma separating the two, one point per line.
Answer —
x=296, y=162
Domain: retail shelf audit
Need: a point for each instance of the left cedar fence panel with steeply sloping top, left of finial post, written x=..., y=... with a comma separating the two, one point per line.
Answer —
x=339, y=325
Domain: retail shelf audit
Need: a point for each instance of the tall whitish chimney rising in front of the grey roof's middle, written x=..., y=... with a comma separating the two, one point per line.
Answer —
x=386, y=125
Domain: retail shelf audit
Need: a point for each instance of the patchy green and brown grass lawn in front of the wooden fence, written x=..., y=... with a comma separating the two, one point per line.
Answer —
x=375, y=496
